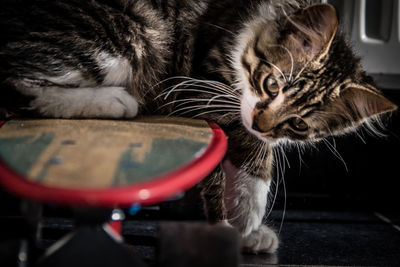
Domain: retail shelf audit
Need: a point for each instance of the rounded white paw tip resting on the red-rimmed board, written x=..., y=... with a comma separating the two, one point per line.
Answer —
x=111, y=102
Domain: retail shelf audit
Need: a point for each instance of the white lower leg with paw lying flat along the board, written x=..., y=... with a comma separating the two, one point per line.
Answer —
x=91, y=102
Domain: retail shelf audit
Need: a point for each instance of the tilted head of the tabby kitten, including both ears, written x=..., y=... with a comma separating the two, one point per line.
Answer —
x=300, y=81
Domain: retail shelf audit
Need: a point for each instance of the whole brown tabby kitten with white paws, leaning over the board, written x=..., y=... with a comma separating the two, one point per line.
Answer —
x=271, y=73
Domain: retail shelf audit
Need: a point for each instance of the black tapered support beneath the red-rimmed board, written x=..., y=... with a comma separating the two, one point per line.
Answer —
x=93, y=243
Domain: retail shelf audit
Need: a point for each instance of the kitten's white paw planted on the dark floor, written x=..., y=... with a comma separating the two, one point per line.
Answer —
x=263, y=240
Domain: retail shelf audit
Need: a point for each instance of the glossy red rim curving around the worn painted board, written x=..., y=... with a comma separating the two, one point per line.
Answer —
x=157, y=189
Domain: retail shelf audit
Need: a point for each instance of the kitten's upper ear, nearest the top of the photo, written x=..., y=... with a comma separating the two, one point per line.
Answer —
x=310, y=31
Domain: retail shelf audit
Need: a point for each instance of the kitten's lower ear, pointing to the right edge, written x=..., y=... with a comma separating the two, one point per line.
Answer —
x=357, y=103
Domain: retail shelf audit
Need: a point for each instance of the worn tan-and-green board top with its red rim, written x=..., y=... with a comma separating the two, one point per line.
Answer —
x=96, y=162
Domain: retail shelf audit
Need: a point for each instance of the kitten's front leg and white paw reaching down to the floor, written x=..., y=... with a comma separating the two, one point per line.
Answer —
x=245, y=202
